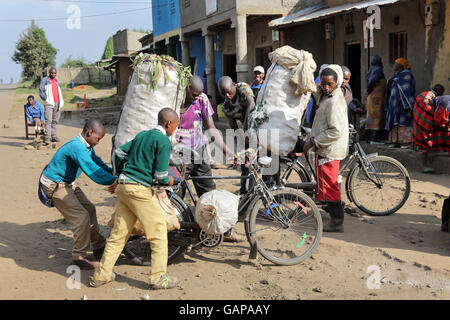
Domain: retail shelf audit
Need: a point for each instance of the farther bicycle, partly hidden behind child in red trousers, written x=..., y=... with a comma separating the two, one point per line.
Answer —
x=377, y=185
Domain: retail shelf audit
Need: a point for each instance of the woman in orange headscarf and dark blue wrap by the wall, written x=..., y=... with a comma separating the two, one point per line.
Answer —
x=400, y=97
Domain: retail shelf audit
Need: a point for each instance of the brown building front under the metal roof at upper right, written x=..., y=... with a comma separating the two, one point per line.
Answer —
x=334, y=32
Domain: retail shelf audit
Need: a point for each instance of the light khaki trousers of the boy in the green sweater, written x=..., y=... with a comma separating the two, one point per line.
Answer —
x=136, y=202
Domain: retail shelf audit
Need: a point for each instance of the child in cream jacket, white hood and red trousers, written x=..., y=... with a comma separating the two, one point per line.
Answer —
x=329, y=138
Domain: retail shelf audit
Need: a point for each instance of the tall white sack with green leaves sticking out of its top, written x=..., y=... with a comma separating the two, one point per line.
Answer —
x=149, y=92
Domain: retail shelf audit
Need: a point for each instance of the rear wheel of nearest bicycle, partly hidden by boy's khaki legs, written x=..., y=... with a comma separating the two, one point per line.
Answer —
x=138, y=248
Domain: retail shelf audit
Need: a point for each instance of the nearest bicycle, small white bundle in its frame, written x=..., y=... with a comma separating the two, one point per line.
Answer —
x=284, y=225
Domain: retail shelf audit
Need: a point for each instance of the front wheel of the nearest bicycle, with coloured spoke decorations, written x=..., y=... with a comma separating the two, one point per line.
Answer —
x=288, y=230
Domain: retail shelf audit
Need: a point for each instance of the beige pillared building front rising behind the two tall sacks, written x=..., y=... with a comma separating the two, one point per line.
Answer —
x=228, y=37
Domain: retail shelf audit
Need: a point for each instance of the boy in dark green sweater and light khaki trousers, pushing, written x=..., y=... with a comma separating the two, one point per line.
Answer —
x=147, y=159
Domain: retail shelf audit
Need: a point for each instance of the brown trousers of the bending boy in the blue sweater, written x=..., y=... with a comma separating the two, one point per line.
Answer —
x=80, y=214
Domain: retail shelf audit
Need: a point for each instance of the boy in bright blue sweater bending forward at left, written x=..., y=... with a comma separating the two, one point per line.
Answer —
x=73, y=158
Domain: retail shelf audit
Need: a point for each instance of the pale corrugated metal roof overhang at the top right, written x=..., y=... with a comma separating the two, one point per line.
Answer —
x=318, y=11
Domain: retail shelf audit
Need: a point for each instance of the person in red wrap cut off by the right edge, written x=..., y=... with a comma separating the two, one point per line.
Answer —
x=440, y=140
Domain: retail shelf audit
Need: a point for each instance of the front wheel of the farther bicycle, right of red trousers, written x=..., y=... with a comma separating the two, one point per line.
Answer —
x=385, y=198
